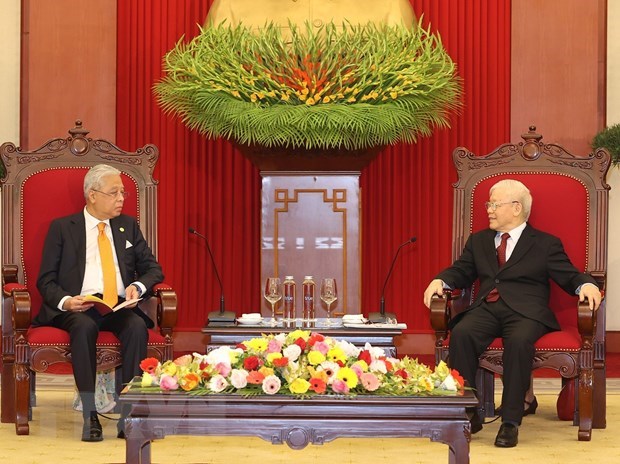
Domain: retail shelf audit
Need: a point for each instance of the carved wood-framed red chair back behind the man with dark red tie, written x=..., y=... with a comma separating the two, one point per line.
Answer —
x=570, y=201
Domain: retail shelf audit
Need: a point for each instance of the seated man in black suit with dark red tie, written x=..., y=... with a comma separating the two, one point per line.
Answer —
x=513, y=263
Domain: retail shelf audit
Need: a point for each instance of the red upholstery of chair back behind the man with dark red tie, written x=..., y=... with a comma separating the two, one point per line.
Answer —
x=560, y=207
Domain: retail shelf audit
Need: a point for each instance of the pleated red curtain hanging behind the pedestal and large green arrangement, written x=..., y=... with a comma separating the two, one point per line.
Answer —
x=208, y=185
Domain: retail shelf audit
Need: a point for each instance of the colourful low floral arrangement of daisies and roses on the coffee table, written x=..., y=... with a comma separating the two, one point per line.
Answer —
x=301, y=363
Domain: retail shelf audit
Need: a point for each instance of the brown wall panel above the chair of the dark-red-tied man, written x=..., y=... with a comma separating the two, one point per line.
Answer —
x=558, y=70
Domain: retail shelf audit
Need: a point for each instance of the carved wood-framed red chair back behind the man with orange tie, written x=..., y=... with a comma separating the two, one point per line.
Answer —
x=47, y=183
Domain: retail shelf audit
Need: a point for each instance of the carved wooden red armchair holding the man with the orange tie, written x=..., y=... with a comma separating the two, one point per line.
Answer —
x=39, y=186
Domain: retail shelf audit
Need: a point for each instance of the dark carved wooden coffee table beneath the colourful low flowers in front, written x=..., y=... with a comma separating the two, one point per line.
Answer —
x=297, y=422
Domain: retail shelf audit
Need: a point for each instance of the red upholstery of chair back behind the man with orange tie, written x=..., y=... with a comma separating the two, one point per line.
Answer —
x=49, y=194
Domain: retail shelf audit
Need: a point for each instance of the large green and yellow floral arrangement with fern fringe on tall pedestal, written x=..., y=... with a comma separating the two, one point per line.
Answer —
x=343, y=86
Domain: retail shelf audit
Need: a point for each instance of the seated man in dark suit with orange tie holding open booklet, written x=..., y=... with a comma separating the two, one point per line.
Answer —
x=71, y=267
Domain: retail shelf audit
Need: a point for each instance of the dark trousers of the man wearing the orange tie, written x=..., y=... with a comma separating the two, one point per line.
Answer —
x=83, y=330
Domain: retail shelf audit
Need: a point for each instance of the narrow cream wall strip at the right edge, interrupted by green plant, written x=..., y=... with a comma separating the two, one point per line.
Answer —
x=613, y=178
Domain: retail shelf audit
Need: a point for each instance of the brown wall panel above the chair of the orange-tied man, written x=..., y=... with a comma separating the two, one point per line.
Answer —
x=68, y=68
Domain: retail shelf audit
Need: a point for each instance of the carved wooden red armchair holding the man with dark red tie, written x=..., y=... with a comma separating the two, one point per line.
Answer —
x=570, y=201
